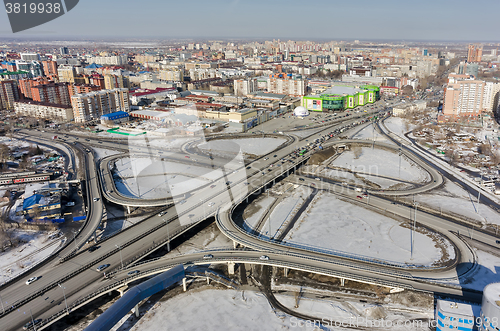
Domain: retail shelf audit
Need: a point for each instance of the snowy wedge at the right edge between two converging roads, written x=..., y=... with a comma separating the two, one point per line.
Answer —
x=454, y=199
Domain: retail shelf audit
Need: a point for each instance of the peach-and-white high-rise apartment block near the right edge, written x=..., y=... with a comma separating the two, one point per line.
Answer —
x=463, y=96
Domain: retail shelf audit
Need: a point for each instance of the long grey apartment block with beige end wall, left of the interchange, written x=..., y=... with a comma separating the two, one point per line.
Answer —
x=92, y=106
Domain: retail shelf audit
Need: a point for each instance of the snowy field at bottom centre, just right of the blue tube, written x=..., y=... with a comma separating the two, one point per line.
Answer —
x=215, y=310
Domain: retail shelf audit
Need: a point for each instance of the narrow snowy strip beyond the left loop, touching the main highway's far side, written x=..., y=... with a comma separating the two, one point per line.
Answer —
x=255, y=146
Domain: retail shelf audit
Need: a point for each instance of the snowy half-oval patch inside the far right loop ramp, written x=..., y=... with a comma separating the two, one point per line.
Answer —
x=381, y=162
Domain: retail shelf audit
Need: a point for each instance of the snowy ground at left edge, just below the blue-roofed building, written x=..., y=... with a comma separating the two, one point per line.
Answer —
x=38, y=246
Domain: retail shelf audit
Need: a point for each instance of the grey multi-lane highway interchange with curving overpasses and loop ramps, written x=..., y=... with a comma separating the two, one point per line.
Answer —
x=76, y=270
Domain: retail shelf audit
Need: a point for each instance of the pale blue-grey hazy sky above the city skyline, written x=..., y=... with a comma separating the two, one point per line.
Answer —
x=316, y=19
